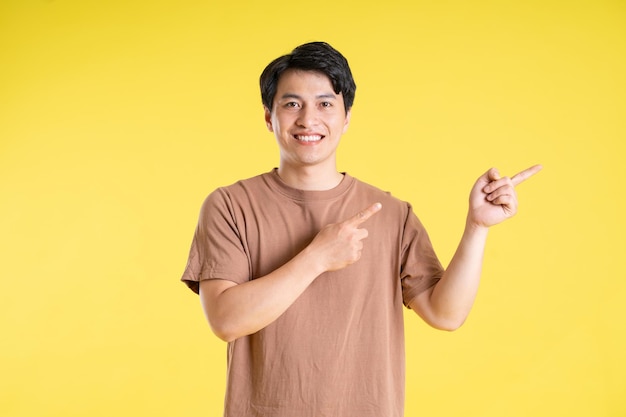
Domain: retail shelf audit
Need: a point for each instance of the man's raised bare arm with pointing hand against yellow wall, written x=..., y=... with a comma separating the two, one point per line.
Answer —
x=492, y=200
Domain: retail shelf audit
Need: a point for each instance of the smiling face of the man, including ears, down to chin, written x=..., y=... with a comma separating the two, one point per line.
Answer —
x=308, y=119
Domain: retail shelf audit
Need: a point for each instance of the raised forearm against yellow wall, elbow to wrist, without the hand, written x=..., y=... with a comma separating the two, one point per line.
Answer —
x=452, y=298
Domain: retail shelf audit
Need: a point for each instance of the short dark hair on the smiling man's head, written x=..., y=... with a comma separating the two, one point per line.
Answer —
x=313, y=56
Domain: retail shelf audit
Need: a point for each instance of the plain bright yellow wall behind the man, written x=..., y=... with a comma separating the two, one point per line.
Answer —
x=118, y=117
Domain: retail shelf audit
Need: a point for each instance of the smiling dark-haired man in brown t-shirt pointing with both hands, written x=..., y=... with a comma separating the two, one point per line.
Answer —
x=304, y=270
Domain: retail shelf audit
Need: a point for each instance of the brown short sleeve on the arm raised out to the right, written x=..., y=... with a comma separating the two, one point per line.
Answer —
x=420, y=267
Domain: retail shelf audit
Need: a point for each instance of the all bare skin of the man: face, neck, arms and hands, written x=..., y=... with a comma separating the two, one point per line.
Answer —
x=308, y=119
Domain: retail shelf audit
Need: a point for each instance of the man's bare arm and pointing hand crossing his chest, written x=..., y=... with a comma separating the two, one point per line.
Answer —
x=235, y=310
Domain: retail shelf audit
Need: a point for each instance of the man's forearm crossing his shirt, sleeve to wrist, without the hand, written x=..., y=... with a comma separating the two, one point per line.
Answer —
x=238, y=310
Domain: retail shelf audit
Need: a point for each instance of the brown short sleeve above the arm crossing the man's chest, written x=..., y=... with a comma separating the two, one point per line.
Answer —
x=217, y=251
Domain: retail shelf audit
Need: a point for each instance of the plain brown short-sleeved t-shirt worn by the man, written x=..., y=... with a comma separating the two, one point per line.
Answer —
x=338, y=351
